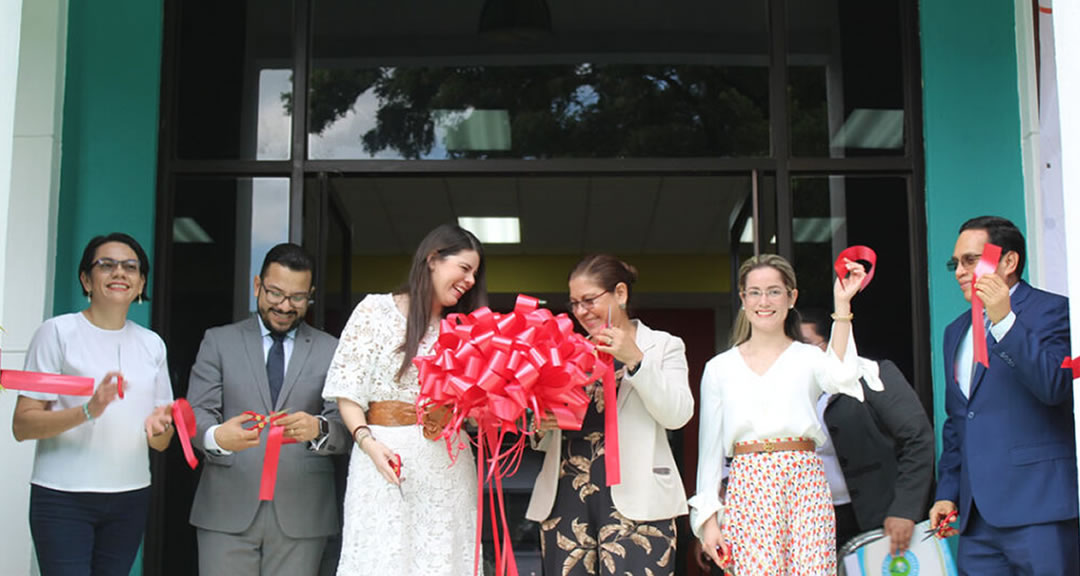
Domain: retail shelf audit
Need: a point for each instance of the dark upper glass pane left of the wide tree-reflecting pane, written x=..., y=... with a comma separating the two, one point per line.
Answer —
x=235, y=81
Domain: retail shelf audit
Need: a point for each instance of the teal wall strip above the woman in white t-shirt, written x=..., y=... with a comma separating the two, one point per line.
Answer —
x=110, y=154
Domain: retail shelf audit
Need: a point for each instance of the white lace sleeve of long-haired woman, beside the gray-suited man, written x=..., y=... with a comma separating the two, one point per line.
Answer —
x=350, y=374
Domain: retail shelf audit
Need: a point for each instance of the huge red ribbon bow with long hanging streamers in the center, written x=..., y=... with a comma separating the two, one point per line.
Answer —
x=496, y=368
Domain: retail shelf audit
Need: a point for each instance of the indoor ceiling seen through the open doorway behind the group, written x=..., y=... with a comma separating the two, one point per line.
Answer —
x=559, y=216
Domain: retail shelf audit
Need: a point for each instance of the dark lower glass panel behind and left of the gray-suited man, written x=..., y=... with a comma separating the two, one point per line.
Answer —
x=219, y=232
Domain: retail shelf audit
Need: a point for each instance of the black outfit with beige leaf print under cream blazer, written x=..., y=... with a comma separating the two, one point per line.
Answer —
x=586, y=535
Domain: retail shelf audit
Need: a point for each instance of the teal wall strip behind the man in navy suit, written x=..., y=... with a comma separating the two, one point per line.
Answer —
x=973, y=131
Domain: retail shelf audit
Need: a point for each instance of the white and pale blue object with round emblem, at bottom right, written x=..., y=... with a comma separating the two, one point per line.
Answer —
x=868, y=555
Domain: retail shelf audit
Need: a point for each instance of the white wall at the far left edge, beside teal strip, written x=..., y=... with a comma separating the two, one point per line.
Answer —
x=33, y=42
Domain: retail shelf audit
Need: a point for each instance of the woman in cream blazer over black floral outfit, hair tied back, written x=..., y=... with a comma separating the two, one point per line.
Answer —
x=586, y=526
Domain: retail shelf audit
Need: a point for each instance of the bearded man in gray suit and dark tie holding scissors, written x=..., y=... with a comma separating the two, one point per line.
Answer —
x=271, y=363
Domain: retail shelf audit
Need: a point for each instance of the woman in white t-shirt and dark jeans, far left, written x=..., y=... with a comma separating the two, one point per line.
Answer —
x=90, y=489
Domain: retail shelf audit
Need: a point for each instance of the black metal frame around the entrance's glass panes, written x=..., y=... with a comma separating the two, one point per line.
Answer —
x=780, y=165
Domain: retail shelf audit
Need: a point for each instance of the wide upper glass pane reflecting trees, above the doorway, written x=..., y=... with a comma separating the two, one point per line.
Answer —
x=654, y=79
